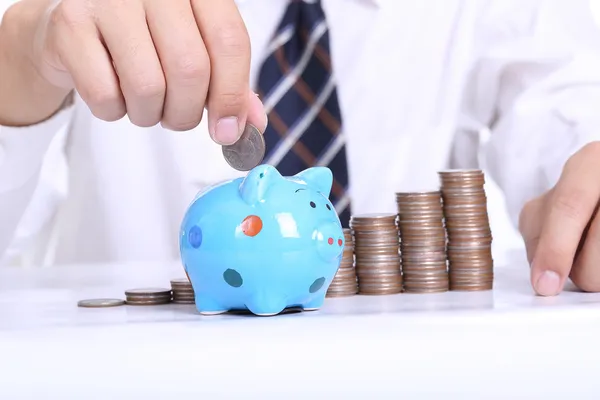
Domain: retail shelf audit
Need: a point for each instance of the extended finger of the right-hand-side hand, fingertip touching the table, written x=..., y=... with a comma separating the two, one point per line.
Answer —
x=568, y=211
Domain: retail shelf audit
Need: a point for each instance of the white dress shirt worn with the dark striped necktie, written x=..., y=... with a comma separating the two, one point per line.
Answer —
x=511, y=86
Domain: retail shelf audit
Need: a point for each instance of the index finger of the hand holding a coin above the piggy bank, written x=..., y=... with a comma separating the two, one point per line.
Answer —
x=228, y=45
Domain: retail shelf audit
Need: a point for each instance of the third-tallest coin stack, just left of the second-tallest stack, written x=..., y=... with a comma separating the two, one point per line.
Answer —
x=377, y=253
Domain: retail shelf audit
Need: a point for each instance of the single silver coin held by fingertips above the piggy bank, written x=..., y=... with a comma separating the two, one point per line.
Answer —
x=248, y=152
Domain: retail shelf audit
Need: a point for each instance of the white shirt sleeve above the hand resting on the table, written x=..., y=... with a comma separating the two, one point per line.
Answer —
x=532, y=96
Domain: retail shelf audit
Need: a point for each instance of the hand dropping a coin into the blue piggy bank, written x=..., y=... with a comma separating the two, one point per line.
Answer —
x=155, y=61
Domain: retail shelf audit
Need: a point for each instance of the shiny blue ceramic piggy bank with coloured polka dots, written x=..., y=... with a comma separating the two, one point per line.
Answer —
x=262, y=243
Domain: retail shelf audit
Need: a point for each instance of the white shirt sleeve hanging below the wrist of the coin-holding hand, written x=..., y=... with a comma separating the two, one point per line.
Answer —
x=22, y=152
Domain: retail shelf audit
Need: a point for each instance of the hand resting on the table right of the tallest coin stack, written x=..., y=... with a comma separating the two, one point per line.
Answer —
x=561, y=230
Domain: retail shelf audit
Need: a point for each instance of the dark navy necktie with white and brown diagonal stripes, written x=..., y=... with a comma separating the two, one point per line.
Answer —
x=297, y=87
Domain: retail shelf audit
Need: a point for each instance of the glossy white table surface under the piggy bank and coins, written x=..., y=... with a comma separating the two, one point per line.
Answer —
x=505, y=344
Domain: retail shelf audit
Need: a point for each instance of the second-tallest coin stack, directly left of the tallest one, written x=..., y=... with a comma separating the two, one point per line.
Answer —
x=422, y=242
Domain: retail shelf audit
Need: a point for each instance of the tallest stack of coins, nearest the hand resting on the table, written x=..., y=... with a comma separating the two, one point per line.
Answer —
x=471, y=265
